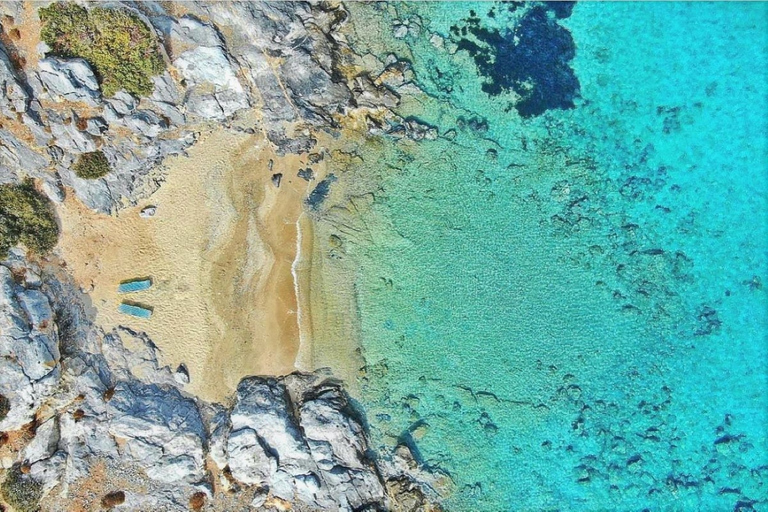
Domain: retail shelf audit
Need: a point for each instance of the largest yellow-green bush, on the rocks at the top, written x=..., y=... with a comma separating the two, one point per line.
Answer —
x=121, y=49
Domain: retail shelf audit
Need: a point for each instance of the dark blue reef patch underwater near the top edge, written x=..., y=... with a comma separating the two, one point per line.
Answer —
x=532, y=59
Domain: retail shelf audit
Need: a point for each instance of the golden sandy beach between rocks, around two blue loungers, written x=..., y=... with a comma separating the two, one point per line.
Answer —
x=221, y=251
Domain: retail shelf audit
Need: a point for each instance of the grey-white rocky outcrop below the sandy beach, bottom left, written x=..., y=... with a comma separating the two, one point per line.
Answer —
x=76, y=398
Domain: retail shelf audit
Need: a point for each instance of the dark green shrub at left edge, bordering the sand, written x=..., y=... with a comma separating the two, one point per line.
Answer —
x=26, y=217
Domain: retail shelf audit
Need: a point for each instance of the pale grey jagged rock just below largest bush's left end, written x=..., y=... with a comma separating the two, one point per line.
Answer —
x=69, y=79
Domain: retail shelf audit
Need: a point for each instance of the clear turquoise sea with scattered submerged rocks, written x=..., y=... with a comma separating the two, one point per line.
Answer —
x=564, y=306
